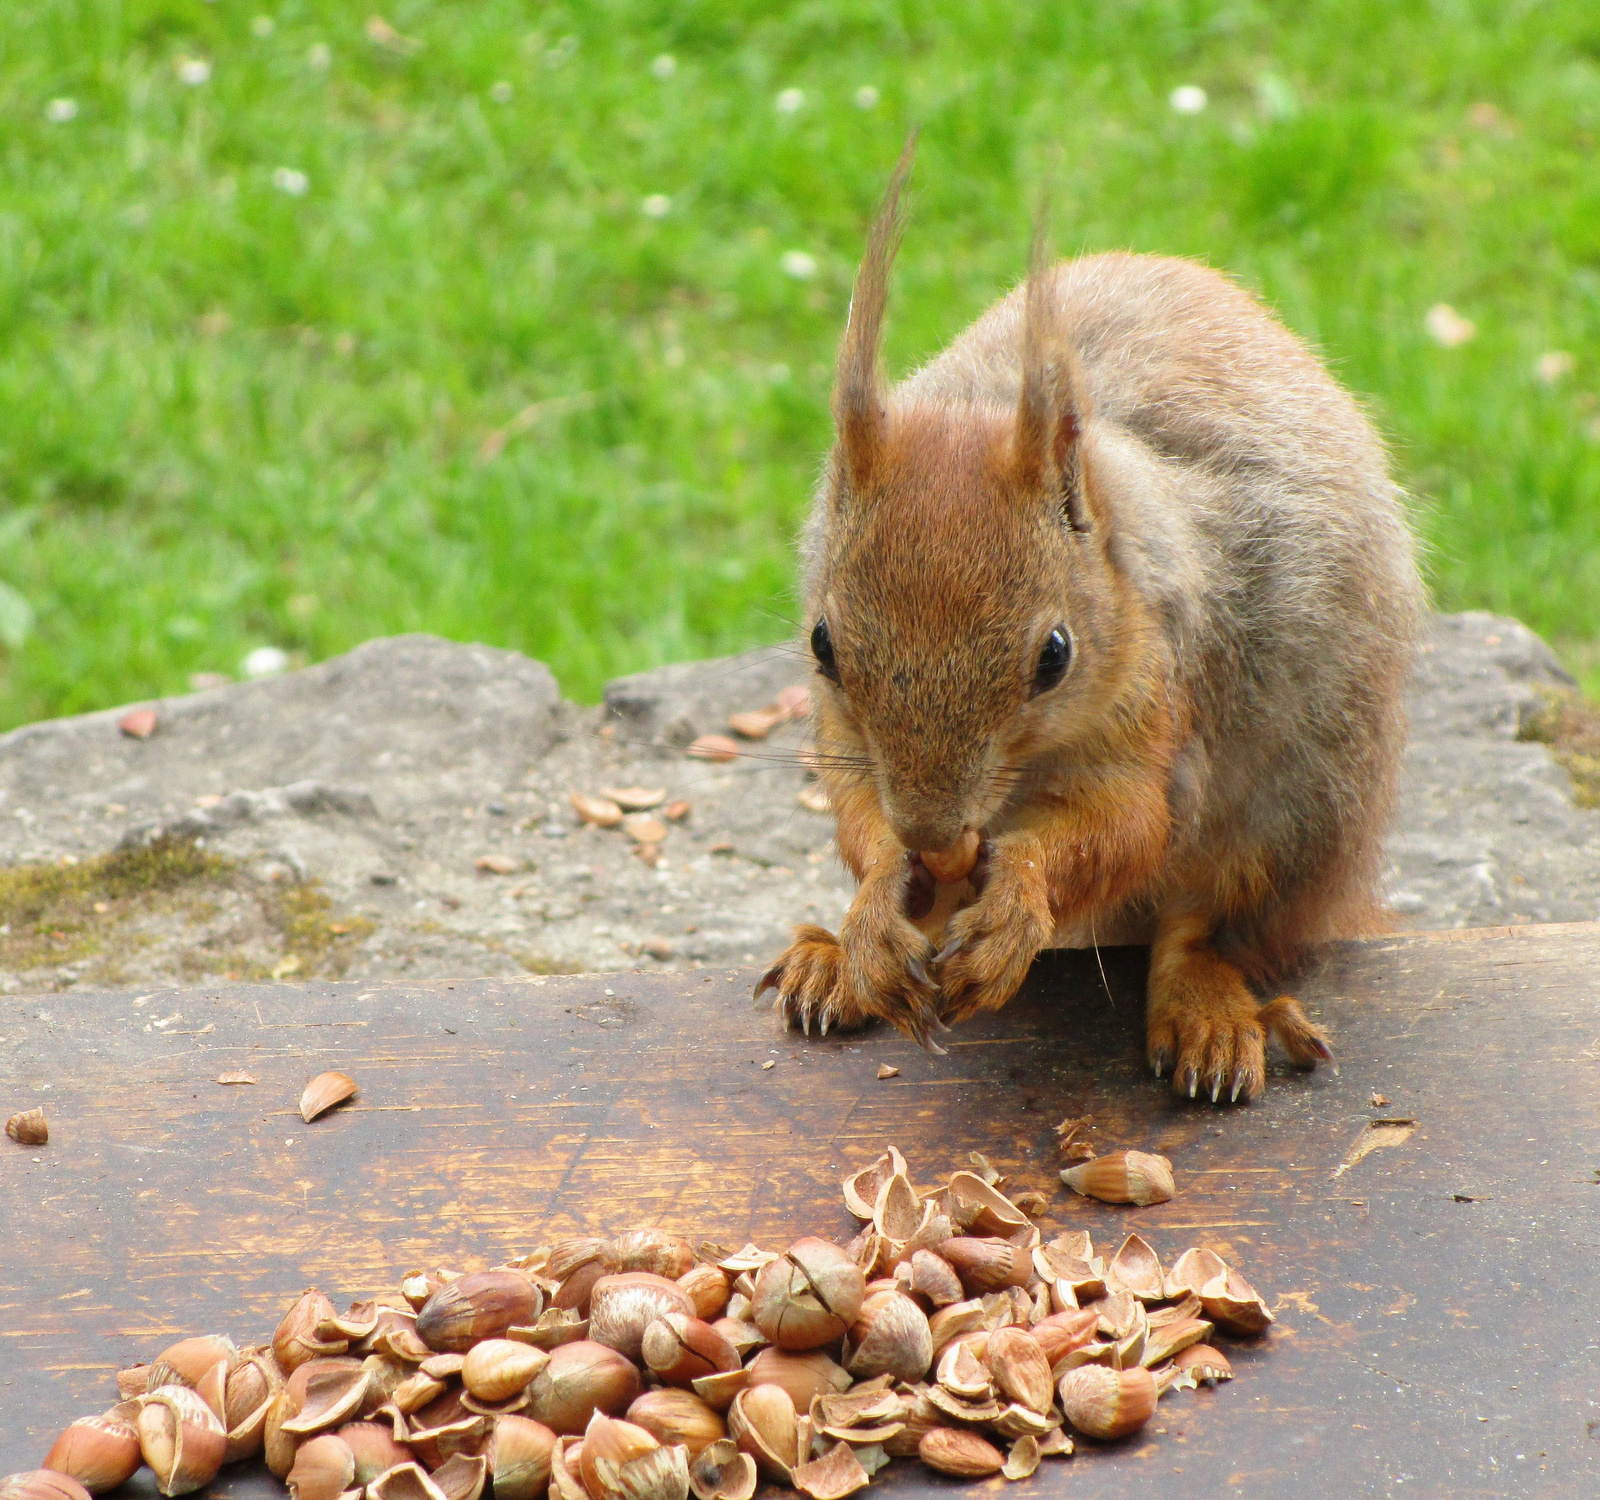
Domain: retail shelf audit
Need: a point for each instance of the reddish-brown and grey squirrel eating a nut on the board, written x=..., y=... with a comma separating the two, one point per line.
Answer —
x=1113, y=608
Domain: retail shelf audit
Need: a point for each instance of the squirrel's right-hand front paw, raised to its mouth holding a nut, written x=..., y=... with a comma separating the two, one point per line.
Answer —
x=991, y=944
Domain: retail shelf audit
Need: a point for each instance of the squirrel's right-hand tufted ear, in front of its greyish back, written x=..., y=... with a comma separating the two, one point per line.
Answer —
x=1052, y=407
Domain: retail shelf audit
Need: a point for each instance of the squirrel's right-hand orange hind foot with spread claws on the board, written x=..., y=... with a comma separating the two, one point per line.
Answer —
x=1207, y=1027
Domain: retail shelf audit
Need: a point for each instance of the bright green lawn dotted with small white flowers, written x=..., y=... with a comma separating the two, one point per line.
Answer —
x=231, y=417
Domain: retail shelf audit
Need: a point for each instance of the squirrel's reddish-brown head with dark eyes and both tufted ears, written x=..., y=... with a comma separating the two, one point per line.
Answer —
x=962, y=597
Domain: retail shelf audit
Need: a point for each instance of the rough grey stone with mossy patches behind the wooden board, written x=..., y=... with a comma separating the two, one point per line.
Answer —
x=386, y=775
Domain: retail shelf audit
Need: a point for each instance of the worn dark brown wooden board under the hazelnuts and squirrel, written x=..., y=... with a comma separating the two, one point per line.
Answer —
x=1438, y=1303
